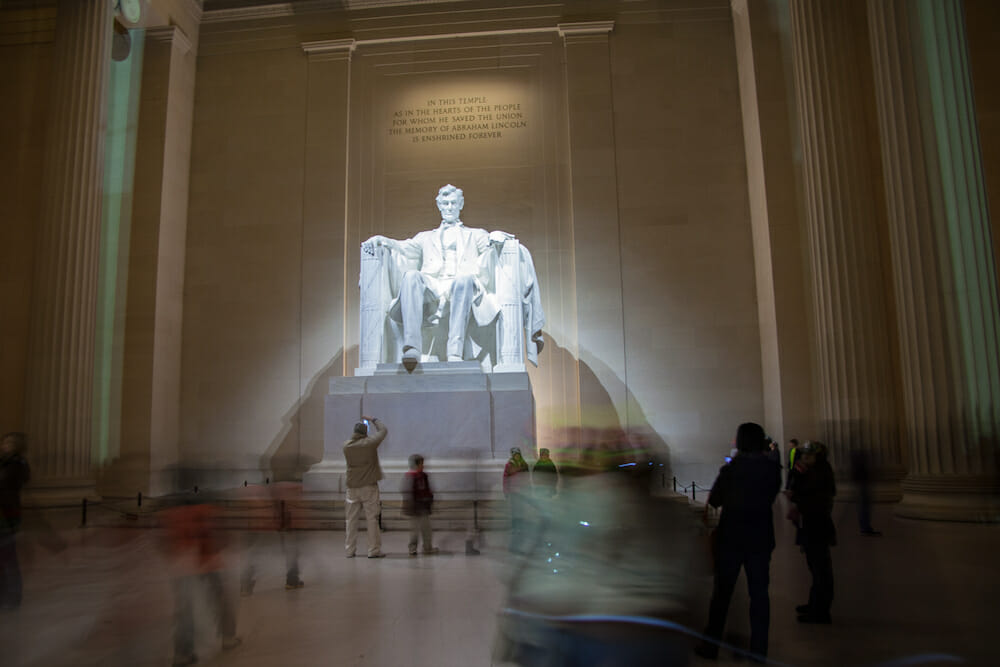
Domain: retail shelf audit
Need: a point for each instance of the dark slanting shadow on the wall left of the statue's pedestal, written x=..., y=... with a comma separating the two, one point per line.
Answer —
x=285, y=459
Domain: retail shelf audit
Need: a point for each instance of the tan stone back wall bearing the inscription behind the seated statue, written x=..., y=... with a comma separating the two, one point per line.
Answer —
x=625, y=177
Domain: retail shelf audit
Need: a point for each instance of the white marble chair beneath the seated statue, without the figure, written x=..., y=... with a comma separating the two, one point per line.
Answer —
x=509, y=307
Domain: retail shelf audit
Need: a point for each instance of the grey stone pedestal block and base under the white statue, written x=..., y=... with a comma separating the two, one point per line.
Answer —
x=463, y=422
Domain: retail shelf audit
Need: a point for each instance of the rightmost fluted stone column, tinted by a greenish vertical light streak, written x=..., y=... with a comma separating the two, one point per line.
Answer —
x=944, y=271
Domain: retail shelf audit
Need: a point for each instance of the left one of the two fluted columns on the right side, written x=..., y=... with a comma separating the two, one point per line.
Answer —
x=852, y=323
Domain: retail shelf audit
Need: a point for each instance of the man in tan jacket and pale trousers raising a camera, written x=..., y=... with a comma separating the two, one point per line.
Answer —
x=363, y=474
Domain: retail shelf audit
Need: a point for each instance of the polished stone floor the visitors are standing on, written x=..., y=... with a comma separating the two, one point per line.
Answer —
x=923, y=593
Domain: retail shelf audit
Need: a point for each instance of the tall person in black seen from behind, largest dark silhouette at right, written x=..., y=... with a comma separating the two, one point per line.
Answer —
x=744, y=539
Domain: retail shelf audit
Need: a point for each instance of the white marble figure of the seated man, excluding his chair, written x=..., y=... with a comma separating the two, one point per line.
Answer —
x=449, y=274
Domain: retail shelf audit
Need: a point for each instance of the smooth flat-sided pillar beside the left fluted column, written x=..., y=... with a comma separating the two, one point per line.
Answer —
x=150, y=415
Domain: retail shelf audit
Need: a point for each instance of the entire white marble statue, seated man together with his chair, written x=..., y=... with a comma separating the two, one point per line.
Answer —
x=453, y=293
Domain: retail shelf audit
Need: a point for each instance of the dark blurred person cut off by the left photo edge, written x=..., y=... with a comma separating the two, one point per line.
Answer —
x=14, y=474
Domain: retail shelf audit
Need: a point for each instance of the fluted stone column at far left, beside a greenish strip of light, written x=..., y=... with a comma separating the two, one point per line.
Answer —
x=61, y=355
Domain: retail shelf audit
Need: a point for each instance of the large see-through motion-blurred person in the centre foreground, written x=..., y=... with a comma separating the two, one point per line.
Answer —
x=608, y=573
